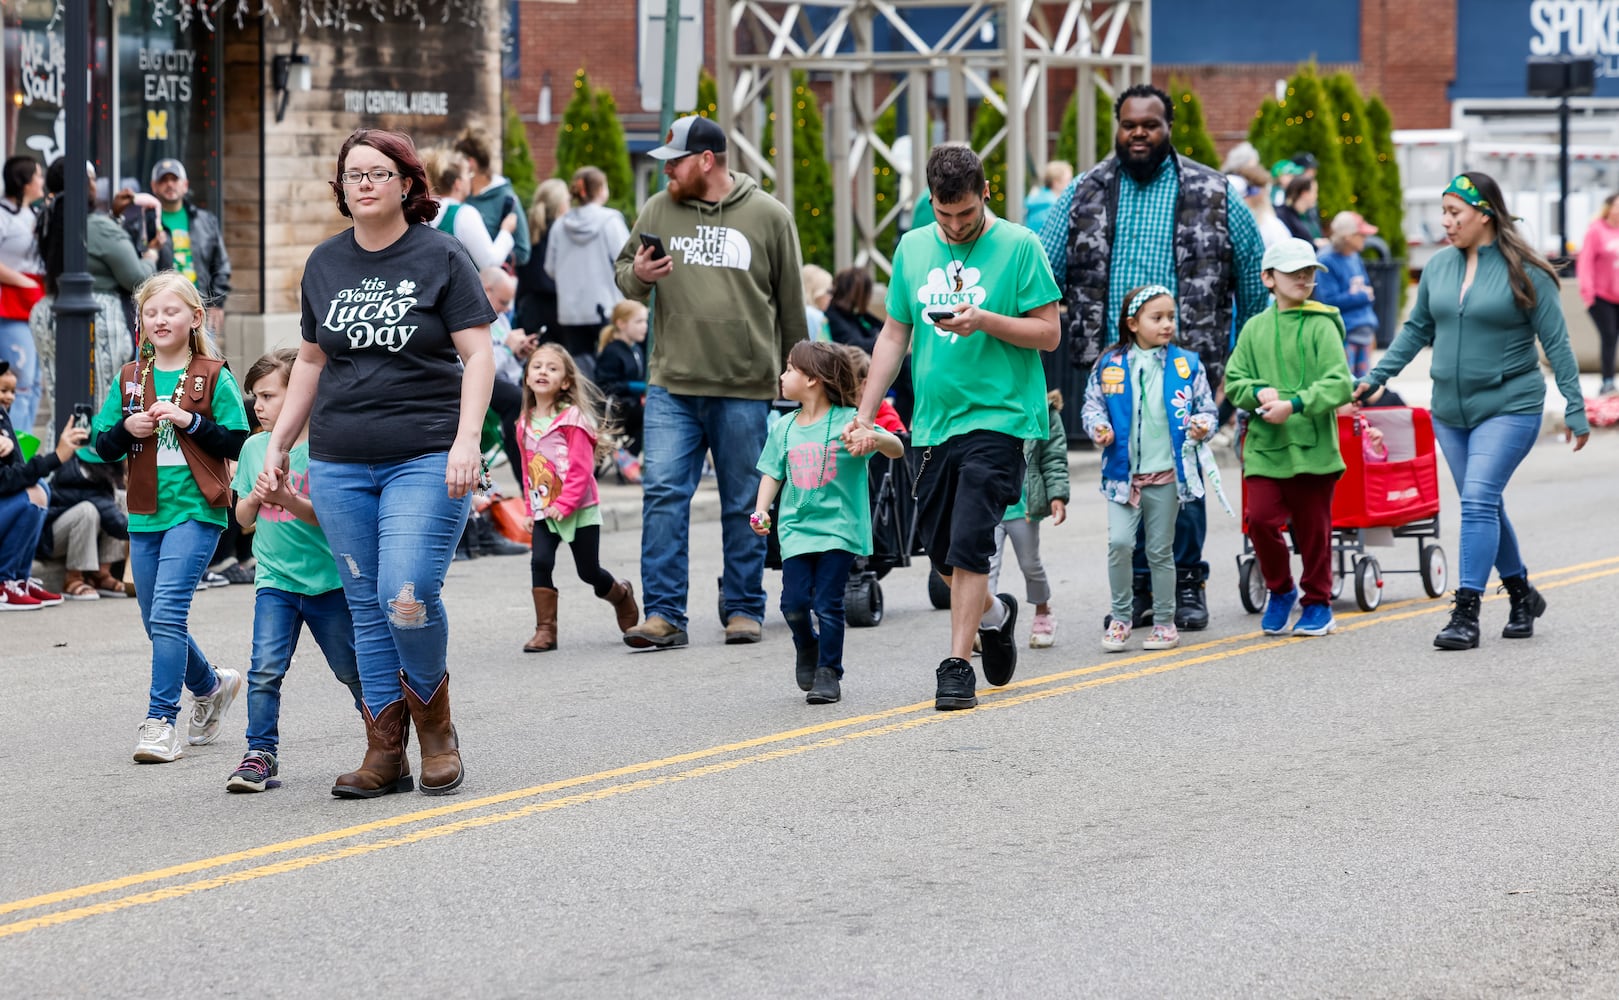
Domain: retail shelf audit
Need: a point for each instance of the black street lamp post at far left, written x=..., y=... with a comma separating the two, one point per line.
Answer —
x=75, y=305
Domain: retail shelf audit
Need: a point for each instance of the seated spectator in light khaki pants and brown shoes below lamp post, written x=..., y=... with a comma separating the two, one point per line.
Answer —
x=87, y=528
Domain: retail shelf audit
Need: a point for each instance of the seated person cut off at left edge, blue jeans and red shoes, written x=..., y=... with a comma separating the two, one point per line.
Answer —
x=23, y=501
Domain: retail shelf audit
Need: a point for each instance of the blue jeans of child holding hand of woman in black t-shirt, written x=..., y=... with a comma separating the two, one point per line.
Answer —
x=278, y=619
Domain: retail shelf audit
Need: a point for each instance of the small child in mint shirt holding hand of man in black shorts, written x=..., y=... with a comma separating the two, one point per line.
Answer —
x=825, y=511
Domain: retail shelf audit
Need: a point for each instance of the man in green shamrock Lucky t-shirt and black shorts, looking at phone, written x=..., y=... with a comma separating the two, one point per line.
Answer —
x=972, y=299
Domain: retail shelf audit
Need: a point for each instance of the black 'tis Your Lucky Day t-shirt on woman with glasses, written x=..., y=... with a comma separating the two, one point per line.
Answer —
x=393, y=383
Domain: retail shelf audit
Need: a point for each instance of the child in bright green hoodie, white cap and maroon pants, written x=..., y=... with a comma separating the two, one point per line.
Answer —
x=1290, y=371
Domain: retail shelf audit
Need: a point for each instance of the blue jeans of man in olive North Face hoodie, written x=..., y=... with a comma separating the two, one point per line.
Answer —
x=678, y=433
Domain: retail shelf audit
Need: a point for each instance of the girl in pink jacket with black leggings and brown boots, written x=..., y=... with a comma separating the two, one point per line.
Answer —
x=561, y=436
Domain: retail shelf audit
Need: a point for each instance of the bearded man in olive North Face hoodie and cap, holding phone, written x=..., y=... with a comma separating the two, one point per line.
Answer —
x=728, y=305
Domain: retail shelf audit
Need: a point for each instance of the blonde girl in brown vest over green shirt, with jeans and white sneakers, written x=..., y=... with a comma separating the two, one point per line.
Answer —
x=179, y=417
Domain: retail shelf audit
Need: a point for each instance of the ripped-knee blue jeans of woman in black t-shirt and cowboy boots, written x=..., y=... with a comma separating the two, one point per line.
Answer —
x=393, y=530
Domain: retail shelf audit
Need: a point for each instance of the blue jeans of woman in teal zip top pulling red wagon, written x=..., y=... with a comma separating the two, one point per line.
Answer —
x=1482, y=462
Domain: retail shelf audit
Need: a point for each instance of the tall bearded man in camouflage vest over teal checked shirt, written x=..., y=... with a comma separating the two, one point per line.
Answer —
x=1147, y=216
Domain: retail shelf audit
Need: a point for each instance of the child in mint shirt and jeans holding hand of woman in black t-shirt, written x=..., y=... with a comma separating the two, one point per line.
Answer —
x=295, y=577
